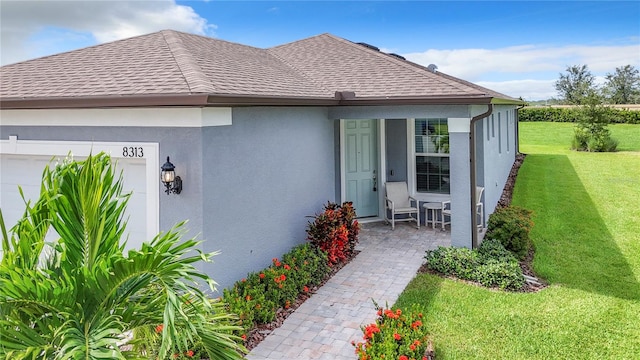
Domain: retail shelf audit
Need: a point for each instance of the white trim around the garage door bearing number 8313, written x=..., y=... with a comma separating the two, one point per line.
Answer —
x=150, y=153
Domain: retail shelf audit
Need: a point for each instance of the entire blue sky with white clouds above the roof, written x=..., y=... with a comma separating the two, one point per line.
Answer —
x=516, y=47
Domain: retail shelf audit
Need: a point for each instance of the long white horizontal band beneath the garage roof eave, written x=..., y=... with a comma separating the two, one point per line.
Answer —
x=118, y=117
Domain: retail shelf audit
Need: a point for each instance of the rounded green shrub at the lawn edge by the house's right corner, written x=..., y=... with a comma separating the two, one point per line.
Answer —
x=511, y=226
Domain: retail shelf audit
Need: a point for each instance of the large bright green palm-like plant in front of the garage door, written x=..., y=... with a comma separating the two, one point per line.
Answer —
x=79, y=297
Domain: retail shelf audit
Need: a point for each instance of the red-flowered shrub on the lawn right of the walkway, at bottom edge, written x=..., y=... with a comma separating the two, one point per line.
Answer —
x=395, y=335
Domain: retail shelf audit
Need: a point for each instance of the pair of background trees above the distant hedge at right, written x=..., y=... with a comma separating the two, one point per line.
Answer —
x=576, y=86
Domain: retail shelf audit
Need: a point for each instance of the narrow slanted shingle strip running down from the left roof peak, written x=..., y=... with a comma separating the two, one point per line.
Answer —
x=196, y=80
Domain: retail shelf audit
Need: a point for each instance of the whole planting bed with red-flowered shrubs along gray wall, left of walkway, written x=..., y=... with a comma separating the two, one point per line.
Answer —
x=265, y=298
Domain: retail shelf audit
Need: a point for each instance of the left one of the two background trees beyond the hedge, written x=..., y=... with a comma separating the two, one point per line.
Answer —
x=575, y=85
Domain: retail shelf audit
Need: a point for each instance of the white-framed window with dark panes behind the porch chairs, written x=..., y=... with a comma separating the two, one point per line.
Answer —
x=431, y=140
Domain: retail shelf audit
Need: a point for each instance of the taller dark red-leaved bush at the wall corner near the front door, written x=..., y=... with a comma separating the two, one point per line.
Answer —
x=335, y=231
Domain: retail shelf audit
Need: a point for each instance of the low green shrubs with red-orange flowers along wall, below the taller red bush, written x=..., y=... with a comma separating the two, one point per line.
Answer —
x=257, y=298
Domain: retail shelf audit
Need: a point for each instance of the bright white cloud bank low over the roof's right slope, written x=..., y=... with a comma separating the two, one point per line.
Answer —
x=527, y=70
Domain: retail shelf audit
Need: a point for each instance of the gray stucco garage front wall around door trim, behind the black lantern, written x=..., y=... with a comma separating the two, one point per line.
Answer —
x=183, y=145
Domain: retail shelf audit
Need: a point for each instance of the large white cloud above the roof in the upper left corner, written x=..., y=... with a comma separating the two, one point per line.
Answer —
x=100, y=21
